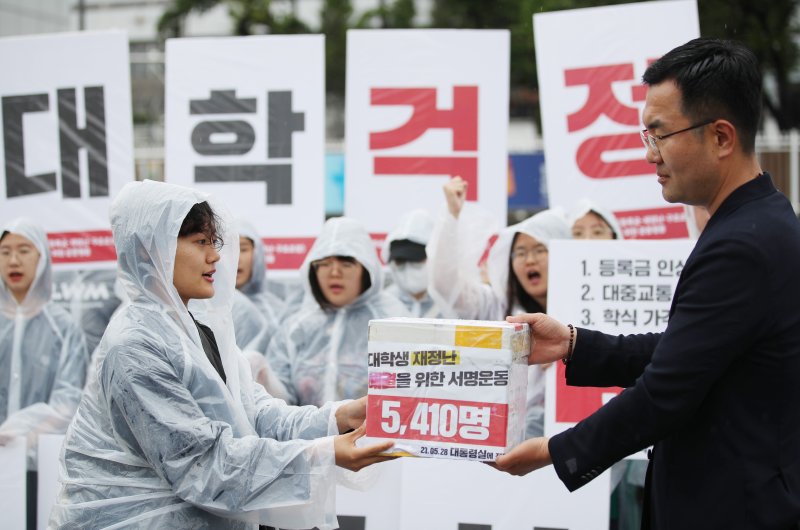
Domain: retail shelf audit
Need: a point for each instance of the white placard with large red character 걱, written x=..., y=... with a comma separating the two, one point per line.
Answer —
x=424, y=106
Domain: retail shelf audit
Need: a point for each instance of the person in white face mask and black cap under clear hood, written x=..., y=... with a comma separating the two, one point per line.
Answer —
x=405, y=248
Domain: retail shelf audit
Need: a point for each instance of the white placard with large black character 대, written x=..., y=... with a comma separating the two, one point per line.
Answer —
x=67, y=142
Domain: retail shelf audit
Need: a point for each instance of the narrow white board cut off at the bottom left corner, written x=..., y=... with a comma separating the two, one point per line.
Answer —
x=12, y=483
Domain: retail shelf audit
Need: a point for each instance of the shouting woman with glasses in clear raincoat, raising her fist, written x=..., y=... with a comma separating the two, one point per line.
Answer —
x=518, y=274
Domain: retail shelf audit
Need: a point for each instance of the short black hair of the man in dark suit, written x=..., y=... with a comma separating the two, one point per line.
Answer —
x=718, y=79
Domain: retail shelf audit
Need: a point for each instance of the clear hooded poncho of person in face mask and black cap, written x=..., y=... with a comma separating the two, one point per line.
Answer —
x=415, y=226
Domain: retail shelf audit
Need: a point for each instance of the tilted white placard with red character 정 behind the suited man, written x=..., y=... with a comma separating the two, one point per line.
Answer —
x=590, y=63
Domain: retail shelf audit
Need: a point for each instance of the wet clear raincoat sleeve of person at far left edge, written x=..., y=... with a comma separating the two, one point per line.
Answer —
x=53, y=415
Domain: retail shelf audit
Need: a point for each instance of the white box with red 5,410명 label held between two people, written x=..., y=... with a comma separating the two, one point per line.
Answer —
x=447, y=388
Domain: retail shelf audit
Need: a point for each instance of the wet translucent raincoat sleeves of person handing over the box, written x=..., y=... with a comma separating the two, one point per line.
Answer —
x=201, y=459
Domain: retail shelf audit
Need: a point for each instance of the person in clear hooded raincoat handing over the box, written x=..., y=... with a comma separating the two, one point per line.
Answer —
x=171, y=432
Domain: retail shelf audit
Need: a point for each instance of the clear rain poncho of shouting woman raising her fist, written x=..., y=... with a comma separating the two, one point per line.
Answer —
x=471, y=299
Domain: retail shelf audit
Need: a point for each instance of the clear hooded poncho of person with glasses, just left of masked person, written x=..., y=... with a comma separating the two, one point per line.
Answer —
x=321, y=354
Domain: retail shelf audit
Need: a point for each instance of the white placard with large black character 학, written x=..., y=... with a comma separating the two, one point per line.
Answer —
x=245, y=120
